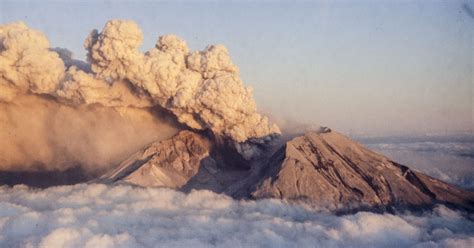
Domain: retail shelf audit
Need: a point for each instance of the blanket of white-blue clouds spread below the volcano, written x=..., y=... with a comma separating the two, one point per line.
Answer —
x=96, y=215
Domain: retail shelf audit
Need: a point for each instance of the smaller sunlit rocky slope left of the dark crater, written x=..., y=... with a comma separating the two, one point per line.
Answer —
x=169, y=163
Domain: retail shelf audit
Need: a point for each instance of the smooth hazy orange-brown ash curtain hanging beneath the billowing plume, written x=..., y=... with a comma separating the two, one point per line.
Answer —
x=42, y=134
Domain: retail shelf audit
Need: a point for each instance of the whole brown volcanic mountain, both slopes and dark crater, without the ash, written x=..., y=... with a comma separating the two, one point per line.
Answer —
x=323, y=168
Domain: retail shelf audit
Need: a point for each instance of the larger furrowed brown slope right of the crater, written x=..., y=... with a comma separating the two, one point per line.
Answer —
x=331, y=170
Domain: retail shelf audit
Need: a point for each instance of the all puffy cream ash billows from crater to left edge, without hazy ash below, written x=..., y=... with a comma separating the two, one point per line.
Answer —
x=203, y=88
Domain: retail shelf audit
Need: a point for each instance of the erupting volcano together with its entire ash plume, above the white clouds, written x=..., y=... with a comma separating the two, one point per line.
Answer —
x=57, y=114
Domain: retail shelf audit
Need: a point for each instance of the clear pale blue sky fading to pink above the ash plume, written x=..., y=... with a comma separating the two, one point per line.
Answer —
x=361, y=67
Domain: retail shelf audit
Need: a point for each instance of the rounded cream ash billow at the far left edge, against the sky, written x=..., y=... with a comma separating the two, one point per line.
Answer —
x=26, y=64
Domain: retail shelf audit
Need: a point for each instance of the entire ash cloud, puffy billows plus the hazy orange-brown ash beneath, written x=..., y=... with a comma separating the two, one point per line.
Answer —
x=54, y=105
